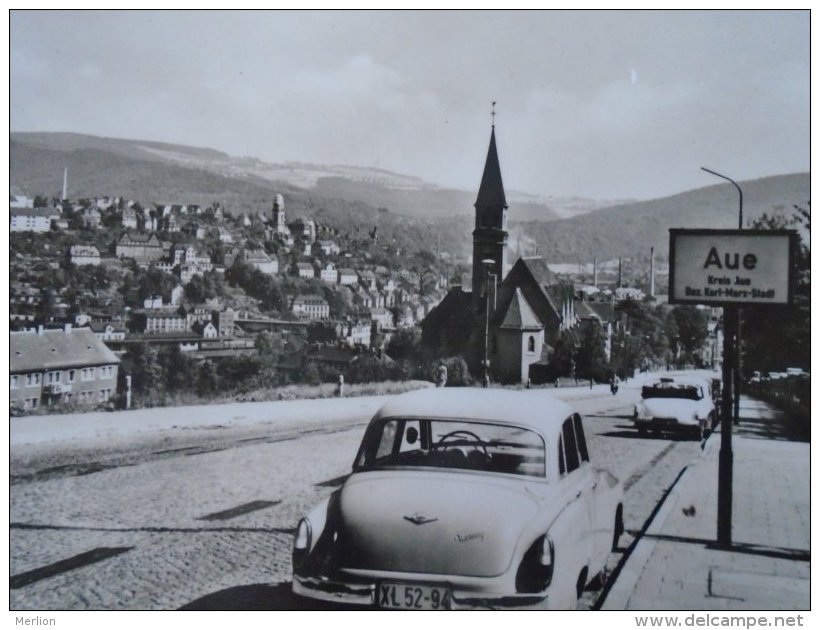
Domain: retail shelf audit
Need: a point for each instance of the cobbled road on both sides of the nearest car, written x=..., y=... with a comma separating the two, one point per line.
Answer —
x=204, y=518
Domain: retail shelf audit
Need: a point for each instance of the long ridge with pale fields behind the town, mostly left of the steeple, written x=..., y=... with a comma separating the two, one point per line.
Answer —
x=167, y=172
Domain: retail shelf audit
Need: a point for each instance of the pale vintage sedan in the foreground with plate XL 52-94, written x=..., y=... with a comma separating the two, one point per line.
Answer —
x=463, y=498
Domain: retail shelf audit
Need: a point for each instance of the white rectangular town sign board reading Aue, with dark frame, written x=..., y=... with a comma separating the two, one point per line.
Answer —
x=741, y=267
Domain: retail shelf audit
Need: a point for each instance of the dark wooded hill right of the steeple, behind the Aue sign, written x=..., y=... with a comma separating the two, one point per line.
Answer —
x=629, y=230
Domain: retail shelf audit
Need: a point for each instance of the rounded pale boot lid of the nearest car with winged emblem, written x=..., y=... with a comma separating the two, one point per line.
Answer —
x=426, y=522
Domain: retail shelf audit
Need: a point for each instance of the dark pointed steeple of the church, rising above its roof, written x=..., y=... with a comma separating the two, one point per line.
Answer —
x=490, y=233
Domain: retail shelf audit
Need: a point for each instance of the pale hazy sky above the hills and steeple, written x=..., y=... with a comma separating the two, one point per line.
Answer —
x=596, y=104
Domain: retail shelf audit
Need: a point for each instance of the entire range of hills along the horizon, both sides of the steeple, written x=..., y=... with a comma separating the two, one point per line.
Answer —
x=403, y=207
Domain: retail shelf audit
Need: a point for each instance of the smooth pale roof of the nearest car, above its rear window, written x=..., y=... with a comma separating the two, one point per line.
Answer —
x=535, y=409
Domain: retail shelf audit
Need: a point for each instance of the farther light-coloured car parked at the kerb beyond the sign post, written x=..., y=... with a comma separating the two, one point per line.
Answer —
x=684, y=406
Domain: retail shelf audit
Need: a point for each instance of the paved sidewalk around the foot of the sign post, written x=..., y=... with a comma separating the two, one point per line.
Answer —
x=676, y=564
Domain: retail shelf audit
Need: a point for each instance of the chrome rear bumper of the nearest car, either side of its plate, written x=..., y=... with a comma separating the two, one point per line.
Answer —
x=364, y=594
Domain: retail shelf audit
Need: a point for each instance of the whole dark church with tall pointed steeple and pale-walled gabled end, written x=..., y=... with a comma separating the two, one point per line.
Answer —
x=507, y=325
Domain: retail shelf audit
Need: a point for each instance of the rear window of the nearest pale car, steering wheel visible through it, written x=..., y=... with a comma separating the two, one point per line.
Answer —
x=454, y=444
